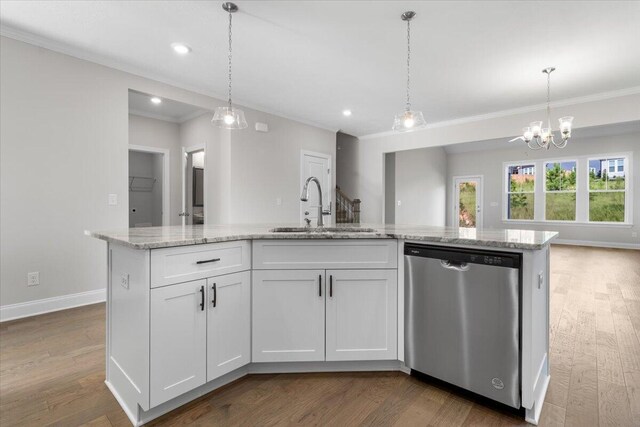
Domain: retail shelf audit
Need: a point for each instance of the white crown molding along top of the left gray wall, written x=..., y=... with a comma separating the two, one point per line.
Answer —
x=69, y=50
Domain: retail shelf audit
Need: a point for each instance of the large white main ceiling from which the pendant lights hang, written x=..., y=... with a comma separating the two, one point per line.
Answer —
x=311, y=59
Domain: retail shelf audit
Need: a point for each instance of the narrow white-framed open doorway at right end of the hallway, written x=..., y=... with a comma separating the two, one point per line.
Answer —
x=193, y=182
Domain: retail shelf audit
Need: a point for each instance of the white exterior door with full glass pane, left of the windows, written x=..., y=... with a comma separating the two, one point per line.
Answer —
x=467, y=203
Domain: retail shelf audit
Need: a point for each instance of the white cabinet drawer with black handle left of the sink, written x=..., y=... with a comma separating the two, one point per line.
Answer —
x=185, y=263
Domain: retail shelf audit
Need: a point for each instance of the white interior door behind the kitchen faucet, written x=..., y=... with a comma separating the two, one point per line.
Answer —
x=318, y=165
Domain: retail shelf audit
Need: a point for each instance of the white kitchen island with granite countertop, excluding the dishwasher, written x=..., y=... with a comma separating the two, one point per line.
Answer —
x=190, y=309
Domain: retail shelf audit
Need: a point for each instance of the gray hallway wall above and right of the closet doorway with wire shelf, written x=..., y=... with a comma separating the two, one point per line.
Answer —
x=162, y=134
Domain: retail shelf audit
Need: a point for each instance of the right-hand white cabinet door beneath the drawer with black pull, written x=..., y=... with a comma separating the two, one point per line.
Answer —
x=228, y=323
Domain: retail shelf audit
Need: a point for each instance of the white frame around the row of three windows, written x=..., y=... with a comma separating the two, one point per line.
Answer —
x=582, y=190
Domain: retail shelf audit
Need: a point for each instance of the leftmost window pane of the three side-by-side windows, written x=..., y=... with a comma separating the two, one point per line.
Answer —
x=521, y=191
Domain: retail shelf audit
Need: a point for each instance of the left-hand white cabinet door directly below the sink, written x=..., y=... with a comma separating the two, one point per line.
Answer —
x=288, y=315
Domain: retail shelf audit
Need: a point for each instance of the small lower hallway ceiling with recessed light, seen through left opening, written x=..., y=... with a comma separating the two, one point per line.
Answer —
x=168, y=109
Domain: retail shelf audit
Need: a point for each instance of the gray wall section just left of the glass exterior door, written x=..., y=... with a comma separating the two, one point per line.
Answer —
x=421, y=186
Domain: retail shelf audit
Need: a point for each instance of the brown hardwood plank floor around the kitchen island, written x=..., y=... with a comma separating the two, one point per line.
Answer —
x=52, y=369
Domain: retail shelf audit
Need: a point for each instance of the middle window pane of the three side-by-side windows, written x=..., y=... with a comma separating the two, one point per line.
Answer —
x=560, y=191
